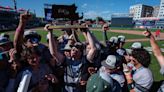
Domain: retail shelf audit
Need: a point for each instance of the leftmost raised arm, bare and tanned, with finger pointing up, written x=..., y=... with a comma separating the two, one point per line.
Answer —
x=18, y=37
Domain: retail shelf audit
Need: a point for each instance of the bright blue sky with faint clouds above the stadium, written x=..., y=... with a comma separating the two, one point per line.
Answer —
x=90, y=8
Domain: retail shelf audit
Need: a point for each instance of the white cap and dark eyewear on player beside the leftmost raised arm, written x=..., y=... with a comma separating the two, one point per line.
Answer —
x=32, y=35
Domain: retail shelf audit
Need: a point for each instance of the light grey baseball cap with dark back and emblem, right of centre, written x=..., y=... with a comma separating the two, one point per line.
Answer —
x=112, y=61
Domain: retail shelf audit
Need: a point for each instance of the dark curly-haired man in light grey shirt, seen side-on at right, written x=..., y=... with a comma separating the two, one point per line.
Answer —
x=142, y=78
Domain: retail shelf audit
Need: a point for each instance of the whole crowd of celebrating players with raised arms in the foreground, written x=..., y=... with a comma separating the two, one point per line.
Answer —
x=68, y=65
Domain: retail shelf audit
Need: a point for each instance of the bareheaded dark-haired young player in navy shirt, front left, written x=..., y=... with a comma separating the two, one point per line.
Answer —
x=39, y=71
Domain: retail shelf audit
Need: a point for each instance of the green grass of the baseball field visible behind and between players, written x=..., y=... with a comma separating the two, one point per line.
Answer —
x=154, y=65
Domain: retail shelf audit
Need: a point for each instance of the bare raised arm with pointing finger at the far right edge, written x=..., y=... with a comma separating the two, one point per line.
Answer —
x=155, y=48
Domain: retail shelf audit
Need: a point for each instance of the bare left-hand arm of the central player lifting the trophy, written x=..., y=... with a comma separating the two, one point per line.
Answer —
x=53, y=46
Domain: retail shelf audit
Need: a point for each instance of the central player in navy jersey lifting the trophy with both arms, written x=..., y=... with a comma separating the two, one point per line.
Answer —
x=75, y=67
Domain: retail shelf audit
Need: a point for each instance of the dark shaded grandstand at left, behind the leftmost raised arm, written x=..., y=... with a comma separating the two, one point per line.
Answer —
x=10, y=19
